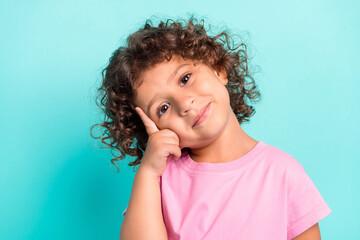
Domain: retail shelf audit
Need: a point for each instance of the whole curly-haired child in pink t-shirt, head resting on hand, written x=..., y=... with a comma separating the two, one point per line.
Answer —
x=175, y=98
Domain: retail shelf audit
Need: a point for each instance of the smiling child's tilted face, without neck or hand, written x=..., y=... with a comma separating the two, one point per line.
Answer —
x=174, y=93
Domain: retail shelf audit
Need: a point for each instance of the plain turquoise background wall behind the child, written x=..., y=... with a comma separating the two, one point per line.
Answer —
x=56, y=182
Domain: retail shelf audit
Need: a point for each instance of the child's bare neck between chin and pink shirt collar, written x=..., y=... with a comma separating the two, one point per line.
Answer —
x=233, y=137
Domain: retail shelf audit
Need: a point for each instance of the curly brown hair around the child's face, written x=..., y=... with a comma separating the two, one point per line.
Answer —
x=151, y=45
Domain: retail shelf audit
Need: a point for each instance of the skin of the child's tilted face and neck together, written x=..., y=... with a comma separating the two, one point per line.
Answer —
x=209, y=141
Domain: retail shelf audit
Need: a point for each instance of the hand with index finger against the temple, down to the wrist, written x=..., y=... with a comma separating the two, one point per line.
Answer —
x=161, y=146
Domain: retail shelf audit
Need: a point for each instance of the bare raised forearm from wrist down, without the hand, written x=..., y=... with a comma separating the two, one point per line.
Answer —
x=143, y=218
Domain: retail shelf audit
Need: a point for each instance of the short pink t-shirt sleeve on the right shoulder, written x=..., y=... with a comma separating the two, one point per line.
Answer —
x=306, y=206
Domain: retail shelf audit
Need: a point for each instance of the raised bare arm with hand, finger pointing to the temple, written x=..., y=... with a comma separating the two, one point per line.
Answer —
x=143, y=218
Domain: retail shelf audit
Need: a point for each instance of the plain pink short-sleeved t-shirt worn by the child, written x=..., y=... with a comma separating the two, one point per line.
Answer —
x=265, y=194
